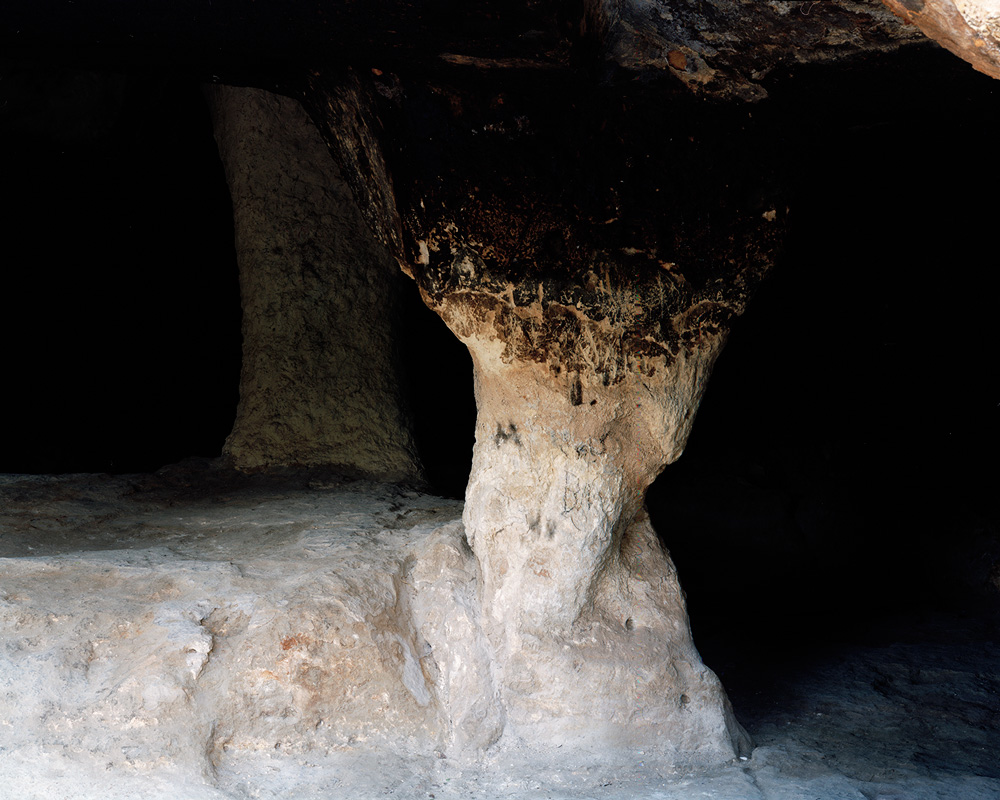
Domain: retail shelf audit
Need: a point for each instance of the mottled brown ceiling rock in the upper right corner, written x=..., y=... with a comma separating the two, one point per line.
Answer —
x=725, y=48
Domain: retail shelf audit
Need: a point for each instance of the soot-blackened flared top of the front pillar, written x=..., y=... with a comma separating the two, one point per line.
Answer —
x=558, y=196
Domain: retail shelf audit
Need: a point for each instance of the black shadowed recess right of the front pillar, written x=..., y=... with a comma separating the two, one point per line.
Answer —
x=842, y=468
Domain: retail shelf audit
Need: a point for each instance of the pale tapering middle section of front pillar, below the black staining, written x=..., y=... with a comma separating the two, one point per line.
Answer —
x=561, y=465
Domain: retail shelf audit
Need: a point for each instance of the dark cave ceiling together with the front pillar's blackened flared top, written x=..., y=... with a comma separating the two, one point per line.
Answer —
x=532, y=152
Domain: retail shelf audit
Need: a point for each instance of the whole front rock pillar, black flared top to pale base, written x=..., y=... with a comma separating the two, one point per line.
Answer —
x=592, y=261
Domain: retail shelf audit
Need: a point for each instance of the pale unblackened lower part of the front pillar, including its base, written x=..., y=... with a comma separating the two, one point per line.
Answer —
x=579, y=601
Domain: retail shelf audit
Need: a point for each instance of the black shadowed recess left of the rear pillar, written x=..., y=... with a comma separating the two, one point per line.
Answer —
x=121, y=313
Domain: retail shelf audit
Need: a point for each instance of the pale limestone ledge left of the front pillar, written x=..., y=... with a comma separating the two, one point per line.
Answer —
x=176, y=639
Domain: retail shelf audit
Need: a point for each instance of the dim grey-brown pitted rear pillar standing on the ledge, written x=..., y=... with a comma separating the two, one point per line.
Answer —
x=319, y=384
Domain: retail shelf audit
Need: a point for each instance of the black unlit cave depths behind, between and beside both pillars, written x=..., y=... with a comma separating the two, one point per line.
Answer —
x=841, y=475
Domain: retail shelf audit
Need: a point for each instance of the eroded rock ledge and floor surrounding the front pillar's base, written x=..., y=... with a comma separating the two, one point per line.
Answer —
x=198, y=635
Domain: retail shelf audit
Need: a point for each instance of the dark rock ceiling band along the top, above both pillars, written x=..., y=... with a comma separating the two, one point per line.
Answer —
x=720, y=47
